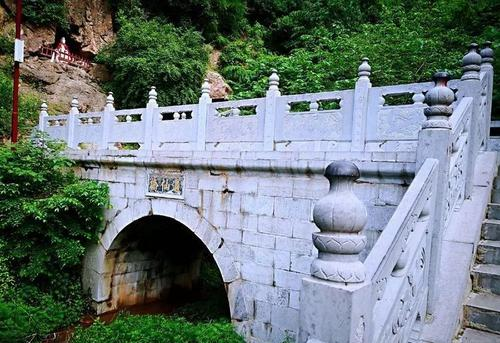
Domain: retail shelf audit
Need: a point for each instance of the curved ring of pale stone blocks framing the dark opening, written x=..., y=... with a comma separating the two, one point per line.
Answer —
x=97, y=274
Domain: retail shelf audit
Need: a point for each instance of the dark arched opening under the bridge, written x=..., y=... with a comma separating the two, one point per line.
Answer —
x=158, y=265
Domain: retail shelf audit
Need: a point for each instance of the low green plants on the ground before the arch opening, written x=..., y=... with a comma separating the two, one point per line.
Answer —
x=157, y=329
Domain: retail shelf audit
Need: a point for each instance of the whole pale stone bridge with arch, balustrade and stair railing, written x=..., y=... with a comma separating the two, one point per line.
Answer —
x=242, y=181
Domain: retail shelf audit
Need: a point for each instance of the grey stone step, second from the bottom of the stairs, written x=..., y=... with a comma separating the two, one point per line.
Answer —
x=482, y=312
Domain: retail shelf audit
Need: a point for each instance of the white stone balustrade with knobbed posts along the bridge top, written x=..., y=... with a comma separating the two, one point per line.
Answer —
x=366, y=118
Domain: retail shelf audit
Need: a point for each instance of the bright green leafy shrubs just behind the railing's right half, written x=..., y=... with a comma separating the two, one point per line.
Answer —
x=408, y=44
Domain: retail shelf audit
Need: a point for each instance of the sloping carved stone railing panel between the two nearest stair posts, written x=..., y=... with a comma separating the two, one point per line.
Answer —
x=398, y=264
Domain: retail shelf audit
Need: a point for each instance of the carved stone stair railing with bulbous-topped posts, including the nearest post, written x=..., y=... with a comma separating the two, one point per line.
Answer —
x=388, y=296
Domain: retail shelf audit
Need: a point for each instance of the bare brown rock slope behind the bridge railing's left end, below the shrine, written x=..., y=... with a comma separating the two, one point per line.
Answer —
x=60, y=82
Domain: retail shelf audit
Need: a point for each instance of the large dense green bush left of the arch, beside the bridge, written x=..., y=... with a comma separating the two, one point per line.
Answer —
x=47, y=217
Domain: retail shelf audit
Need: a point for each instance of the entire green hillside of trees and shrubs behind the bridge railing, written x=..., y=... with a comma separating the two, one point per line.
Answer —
x=316, y=45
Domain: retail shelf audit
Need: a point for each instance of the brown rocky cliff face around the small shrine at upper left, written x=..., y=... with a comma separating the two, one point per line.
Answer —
x=91, y=28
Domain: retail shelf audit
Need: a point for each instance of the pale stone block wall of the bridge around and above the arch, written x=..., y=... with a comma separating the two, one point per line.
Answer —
x=264, y=218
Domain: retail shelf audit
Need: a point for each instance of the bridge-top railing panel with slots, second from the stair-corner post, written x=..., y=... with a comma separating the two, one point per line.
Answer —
x=314, y=116
